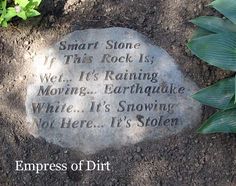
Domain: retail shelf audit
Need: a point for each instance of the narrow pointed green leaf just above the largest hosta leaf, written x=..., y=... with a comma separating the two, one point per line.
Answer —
x=214, y=24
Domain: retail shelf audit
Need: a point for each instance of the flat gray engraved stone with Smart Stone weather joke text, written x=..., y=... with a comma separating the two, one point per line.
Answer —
x=111, y=87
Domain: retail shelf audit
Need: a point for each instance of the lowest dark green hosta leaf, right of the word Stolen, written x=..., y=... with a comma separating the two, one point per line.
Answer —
x=222, y=121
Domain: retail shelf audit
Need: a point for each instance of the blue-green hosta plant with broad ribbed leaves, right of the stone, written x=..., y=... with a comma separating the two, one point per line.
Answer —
x=215, y=43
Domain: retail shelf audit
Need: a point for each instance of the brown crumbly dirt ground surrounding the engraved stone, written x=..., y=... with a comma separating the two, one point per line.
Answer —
x=184, y=159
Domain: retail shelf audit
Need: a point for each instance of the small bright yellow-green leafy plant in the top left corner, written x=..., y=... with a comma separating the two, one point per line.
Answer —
x=23, y=9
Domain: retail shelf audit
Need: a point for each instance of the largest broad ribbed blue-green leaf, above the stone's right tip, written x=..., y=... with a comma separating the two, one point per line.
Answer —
x=217, y=49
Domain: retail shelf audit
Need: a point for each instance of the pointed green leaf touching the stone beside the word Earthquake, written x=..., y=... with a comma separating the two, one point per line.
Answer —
x=218, y=95
